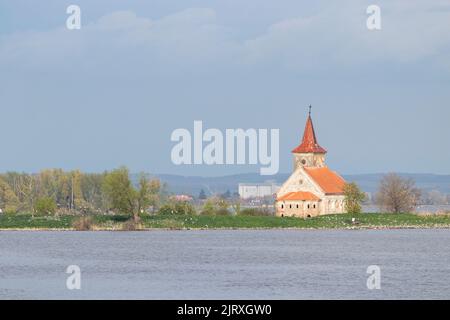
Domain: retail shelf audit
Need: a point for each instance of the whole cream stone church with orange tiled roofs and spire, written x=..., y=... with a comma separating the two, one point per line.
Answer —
x=312, y=189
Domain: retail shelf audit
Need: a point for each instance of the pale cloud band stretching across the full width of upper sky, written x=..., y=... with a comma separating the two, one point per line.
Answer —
x=192, y=39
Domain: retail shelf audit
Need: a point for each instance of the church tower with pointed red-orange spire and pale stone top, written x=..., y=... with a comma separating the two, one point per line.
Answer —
x=309, y=153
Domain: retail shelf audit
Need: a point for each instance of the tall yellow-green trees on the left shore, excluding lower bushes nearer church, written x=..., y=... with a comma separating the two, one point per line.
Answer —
x=54, y=190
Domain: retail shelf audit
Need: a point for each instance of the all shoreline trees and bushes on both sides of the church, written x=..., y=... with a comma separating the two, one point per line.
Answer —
x=55, y=191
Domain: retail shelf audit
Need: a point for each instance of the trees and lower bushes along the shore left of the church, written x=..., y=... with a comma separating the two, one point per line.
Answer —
x=58, y=192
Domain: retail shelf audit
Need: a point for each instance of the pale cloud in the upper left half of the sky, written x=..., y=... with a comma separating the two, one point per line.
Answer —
x=121, y=38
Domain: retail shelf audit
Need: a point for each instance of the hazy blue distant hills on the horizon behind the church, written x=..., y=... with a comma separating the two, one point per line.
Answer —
x=214, y=185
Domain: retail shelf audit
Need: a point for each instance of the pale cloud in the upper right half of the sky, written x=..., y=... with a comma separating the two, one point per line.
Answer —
x=338, y=36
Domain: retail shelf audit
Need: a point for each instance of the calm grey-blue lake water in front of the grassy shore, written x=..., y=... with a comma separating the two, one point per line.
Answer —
x=231, y=264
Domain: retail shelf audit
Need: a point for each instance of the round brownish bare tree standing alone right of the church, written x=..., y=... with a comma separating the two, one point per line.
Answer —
x=397, y=194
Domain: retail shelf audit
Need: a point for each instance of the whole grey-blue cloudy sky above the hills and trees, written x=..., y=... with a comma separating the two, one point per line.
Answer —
x=111, y=93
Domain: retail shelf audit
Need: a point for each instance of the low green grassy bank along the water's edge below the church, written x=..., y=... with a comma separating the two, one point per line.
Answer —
x=343, y=221
